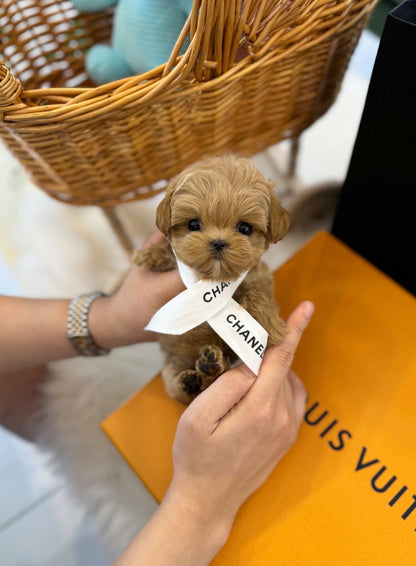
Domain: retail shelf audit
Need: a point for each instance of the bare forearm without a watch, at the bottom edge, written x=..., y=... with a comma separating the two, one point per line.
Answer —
x=178, y=534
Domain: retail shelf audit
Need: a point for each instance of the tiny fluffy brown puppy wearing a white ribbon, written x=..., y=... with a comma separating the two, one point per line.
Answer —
x=219, y=216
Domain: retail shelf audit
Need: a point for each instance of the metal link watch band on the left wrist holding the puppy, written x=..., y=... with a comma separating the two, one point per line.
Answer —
x=78, y=332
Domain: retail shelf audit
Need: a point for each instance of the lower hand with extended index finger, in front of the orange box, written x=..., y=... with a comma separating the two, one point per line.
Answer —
x=233, y=434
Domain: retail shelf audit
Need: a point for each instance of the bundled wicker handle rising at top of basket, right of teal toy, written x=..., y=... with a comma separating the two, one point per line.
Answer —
x=217, y=30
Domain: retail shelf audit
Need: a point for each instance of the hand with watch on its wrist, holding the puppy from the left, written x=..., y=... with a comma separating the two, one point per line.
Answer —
x=119, y=320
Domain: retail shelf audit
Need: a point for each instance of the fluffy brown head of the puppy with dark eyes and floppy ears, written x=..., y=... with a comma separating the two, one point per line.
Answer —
x=220, y=216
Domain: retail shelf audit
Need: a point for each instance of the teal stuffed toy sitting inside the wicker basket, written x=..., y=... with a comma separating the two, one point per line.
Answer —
x=144, y=33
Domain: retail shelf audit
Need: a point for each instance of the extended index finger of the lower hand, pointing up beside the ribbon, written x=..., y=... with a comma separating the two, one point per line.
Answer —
x=278, y=359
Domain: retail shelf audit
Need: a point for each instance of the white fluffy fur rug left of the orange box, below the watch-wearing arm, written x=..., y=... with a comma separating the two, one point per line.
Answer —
x=78, y=396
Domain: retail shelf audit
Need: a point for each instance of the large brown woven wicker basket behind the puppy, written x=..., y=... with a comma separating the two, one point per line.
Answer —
x=256, y=72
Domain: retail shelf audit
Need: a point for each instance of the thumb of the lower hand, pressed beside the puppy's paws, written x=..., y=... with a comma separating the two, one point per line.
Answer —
x=220, y=397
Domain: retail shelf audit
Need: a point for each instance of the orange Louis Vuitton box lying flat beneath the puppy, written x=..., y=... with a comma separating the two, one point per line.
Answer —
x=346, y=492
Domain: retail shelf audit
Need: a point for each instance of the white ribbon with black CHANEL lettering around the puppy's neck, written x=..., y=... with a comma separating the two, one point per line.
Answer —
x=212, y=302
